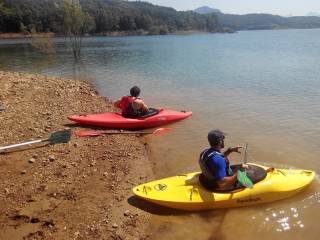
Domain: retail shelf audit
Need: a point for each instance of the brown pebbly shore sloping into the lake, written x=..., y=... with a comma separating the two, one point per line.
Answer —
x=77, y=190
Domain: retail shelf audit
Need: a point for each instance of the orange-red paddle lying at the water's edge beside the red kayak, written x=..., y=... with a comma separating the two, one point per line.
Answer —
x=92, y=133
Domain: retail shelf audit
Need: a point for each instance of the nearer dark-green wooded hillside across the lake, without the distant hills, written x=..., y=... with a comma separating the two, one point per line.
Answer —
x=103, y=15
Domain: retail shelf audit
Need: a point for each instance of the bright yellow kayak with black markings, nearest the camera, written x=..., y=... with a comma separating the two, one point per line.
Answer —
x=186, y=193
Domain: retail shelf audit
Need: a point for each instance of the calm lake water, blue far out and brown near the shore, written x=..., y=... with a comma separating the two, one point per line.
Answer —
x=261, y=87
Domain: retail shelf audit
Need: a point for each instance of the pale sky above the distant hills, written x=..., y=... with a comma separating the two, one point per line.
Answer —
x=278, y=7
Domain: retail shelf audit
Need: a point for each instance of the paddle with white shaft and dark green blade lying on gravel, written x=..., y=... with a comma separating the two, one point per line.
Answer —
x=56, y=137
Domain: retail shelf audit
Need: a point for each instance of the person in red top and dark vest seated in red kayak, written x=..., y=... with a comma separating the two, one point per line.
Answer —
x=132, y=106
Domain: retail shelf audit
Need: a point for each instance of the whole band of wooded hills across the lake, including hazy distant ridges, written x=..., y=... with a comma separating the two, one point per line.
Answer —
x=137, y=17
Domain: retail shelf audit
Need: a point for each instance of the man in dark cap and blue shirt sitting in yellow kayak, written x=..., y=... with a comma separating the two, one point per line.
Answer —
x=215, y=165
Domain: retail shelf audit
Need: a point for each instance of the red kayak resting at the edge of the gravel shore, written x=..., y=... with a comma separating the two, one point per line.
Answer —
x=116, y=120
